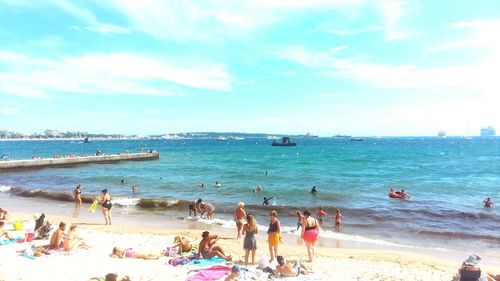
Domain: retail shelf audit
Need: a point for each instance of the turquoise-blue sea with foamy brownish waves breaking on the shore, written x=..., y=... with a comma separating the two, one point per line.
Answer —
x=447, y=180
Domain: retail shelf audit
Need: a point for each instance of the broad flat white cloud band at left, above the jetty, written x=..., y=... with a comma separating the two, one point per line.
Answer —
x=108, y=74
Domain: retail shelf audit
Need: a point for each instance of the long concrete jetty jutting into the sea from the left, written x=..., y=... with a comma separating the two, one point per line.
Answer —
x=28, y=164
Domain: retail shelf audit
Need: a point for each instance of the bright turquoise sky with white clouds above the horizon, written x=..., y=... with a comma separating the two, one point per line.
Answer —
x=357, y=67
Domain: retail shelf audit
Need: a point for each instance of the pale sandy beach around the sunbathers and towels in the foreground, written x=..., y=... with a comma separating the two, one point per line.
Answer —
x=84, y=264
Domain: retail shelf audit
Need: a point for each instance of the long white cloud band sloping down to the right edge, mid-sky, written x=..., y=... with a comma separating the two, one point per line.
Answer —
x=478, y=77
